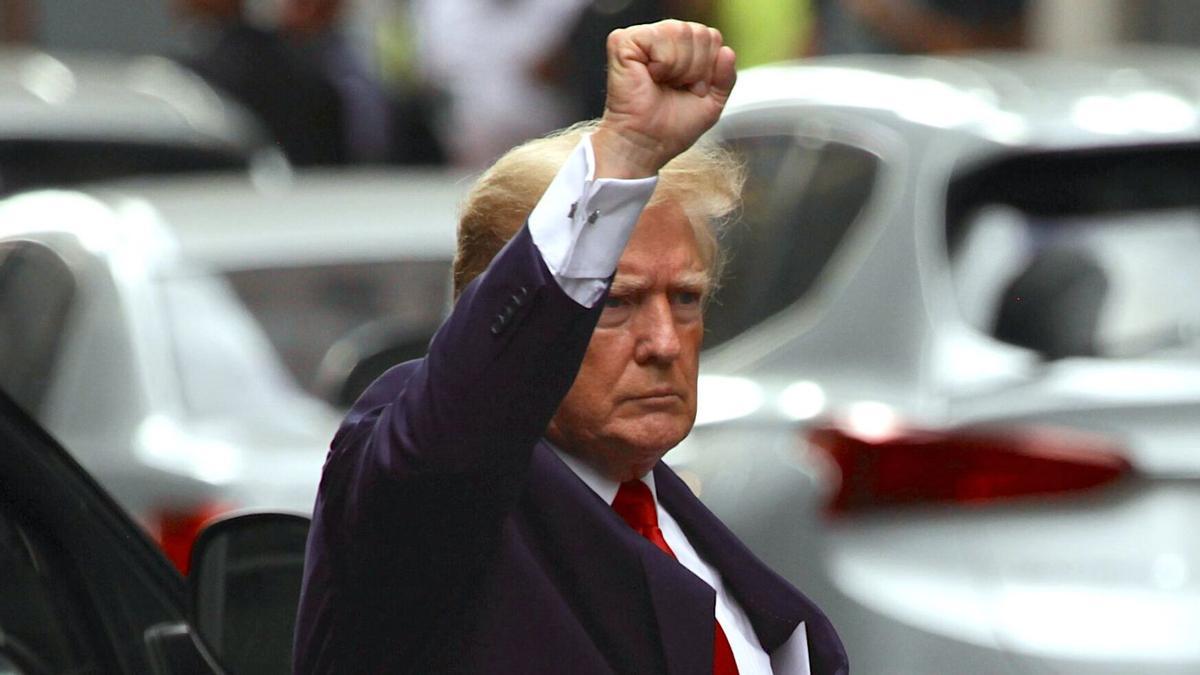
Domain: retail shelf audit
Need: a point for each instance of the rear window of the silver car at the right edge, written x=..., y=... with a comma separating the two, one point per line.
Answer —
x=1083, y=256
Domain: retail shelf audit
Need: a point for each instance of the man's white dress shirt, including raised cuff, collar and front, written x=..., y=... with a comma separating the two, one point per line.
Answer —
x=581, y=228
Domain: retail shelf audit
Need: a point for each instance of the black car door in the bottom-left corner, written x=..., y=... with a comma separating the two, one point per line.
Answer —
x=82, y=589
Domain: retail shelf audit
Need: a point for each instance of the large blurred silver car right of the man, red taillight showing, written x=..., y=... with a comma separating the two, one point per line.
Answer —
x=955, y=375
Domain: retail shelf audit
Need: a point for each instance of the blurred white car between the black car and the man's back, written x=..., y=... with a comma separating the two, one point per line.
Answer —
x=121, y=333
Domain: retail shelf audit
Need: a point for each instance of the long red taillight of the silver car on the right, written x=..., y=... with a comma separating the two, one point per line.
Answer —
x=967, y=465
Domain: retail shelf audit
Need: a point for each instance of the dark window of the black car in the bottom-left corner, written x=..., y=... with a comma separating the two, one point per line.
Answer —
x=40, y=624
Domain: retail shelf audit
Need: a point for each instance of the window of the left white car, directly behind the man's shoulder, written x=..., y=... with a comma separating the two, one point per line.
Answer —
x=305, y=310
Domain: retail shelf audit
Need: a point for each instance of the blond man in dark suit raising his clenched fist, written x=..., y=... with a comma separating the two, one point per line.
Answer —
x=501, y=506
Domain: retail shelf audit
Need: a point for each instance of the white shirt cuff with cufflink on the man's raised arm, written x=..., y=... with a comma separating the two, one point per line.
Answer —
x=583, y=224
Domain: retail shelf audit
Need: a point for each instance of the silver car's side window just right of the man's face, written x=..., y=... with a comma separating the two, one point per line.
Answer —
x=801, y=199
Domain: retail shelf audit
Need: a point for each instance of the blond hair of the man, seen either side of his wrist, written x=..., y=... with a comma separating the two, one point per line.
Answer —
x=705, y=181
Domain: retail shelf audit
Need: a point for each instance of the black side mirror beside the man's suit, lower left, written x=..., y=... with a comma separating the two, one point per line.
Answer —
x=245, y=584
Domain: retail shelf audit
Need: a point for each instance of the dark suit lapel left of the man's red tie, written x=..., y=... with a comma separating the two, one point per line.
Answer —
x=621, y=587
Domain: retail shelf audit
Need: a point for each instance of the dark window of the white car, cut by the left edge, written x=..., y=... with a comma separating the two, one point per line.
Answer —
x=37, y=290
